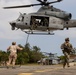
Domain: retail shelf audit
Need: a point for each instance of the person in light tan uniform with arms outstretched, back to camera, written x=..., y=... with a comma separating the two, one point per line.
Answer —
x=13, y=53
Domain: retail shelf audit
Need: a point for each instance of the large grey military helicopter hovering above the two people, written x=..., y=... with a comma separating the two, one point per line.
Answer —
x=46, y=19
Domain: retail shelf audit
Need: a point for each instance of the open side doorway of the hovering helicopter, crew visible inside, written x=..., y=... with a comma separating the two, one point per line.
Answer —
x=39, y=21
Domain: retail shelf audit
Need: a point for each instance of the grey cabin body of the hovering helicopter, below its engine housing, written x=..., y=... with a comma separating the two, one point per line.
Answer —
x=38, y=22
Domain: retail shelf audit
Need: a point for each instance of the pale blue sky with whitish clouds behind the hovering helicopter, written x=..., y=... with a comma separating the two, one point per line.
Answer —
x=47, y=43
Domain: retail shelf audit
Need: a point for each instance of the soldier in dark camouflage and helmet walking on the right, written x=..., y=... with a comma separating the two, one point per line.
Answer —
x=66, y=48
